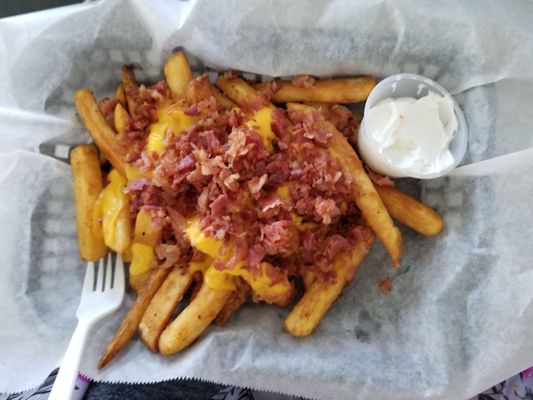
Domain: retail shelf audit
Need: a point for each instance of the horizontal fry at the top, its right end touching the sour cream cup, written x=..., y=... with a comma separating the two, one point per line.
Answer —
x=349, y=90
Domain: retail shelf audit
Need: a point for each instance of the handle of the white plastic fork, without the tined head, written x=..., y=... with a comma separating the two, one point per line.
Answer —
x=68, y=372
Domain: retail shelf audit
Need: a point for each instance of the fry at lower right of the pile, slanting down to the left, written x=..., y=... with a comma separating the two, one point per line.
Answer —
x=320, y=295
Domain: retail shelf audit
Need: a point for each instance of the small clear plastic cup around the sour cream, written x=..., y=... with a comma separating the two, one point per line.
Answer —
x=416, y=86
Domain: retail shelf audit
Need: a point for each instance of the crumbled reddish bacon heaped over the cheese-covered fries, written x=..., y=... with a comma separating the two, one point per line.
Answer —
x=288, y=209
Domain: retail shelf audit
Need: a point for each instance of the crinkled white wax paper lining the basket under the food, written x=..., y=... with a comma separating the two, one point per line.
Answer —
x=459, y=316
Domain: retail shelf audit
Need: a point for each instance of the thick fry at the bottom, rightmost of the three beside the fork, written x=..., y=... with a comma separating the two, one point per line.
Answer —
x=193, y=320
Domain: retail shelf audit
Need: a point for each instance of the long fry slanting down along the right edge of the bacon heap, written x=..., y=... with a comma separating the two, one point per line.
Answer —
x=363, y=191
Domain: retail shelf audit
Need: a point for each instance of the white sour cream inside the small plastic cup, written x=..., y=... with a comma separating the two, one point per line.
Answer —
x=414, y=135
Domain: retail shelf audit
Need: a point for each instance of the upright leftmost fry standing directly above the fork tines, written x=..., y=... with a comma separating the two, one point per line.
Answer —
x=88, y=184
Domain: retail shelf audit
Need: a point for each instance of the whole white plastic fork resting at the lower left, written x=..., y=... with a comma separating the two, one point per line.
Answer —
x=102, y=294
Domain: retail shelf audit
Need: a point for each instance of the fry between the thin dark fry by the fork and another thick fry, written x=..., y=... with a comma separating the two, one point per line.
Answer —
x=163, y=304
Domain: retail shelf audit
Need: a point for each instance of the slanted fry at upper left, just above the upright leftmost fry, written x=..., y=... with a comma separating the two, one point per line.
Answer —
x=103, y=135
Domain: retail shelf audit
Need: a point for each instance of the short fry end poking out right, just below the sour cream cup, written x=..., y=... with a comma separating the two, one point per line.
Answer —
x=410, y=212
